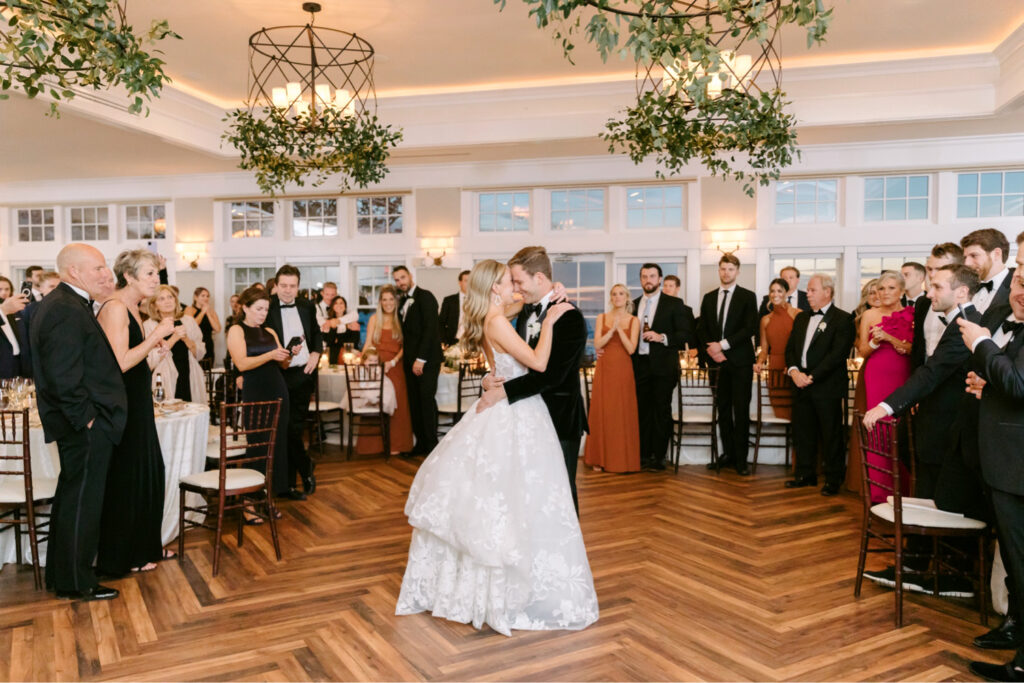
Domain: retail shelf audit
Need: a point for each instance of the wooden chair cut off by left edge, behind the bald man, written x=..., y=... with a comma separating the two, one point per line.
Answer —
x=20, y=492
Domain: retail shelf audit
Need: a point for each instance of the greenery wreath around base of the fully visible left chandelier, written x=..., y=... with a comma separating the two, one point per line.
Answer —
x=285, y=148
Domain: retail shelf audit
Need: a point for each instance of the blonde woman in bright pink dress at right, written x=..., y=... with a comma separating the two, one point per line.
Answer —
x=884, y=339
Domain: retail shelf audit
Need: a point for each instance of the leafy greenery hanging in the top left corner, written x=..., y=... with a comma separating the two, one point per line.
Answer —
x=54, y=47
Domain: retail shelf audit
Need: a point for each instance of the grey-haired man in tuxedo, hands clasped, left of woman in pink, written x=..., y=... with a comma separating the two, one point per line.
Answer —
x=816, y=359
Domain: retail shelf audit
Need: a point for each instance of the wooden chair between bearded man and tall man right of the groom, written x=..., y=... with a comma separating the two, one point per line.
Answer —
x=695, y=414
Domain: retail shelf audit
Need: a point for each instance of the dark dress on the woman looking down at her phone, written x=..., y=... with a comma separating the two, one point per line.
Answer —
x=267, y=383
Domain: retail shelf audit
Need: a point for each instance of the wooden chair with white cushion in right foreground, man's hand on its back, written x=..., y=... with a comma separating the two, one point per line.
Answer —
x=890, y=523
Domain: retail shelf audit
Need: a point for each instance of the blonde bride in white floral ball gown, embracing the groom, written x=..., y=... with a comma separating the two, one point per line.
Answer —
x=496, y=539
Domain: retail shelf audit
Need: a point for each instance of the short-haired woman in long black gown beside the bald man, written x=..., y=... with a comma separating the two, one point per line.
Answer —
x=134, y=504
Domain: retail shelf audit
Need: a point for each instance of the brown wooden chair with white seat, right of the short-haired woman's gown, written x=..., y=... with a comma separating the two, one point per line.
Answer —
x=231, y=486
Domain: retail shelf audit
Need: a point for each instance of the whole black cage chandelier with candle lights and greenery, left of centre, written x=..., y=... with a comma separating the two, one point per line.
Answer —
x=312, y=110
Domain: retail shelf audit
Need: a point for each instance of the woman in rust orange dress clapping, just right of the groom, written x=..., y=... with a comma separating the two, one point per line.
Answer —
x=614, y=443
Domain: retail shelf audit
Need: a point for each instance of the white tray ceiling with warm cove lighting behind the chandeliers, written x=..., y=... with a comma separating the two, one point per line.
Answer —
x=430, y=50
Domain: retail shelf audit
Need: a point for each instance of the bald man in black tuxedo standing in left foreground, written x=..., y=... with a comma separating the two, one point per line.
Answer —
x=83, y=408
